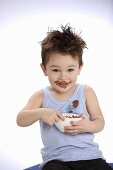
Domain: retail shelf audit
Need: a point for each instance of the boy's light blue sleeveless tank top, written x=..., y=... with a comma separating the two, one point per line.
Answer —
x=65, y=147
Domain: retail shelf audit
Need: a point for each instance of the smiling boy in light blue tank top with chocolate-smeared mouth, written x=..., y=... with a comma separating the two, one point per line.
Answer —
x=74, y=149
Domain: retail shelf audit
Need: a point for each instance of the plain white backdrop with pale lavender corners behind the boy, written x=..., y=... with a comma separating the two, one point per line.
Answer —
x=23, y=24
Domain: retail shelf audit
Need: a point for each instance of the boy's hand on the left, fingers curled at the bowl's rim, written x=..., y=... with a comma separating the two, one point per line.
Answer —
x=50, y=116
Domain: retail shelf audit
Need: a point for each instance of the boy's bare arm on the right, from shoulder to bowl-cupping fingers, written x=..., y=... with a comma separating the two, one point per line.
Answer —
x=94, y=123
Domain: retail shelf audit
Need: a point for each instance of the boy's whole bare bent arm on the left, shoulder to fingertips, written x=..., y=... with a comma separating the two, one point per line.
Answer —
x=33, y=112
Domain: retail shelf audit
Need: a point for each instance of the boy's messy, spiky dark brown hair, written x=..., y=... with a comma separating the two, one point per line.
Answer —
x=65, y=42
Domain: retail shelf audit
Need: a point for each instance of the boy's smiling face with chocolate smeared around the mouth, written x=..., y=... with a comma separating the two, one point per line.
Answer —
x=62, y=71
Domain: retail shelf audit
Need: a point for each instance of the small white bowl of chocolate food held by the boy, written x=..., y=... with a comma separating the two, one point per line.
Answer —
x=68, y=118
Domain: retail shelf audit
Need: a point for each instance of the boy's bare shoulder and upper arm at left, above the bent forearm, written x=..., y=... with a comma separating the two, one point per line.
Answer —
x=35, y=101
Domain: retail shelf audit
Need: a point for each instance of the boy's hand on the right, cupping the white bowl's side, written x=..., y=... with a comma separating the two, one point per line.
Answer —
x=81, y=126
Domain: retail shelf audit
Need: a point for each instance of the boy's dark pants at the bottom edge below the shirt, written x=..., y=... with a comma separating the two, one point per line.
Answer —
x=95, y=164
